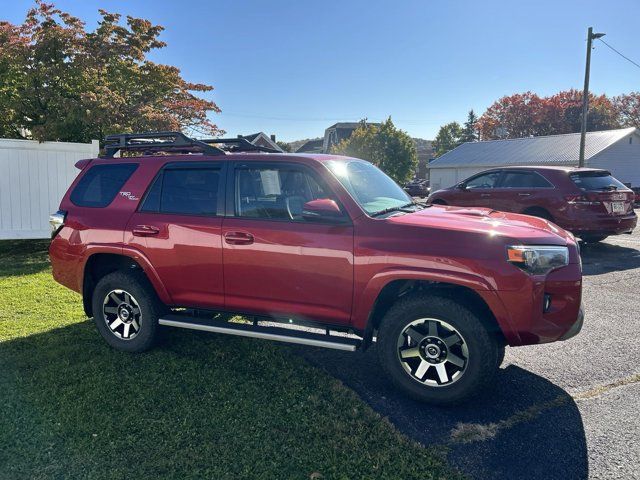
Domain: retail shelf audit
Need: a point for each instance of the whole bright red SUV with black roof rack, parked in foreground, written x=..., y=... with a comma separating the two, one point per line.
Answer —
x=192, y=232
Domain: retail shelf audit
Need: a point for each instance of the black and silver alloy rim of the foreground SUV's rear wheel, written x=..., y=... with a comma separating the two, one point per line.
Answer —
x=122, y=314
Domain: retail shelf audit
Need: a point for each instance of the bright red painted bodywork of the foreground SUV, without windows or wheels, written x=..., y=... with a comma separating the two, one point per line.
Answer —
x=329, y=273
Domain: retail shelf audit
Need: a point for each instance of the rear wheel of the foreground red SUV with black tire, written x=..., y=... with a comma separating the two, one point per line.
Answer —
x=141, y=296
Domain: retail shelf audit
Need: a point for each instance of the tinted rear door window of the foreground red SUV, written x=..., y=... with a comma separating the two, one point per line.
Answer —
x=192, y=191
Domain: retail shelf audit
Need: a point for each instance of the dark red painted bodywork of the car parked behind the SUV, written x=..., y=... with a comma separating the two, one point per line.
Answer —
x=565, y=204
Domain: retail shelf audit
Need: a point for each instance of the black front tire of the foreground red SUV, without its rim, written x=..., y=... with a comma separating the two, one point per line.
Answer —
x=481, y=362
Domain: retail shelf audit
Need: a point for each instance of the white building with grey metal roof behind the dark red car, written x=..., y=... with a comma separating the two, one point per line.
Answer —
x=615, y=150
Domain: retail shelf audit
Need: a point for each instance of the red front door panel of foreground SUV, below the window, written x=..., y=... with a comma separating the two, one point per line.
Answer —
x=289, y=269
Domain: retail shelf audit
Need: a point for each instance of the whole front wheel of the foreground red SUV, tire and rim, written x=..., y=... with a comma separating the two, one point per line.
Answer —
x=436, y=350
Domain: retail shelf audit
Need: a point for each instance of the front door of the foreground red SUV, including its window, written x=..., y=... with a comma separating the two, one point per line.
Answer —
x=276, y=262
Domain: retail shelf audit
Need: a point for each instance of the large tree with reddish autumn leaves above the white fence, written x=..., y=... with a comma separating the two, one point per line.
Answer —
x=60, y=82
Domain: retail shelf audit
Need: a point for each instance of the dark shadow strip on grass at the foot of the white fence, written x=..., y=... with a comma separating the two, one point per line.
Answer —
x=23, y=257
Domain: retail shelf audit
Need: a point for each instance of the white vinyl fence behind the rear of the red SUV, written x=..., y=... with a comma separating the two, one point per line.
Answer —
x=34, y=177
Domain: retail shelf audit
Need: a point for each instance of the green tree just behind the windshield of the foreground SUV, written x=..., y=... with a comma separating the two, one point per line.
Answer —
x=384, y=145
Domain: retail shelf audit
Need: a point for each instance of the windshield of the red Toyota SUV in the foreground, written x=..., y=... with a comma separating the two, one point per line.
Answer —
x=369, y=186
